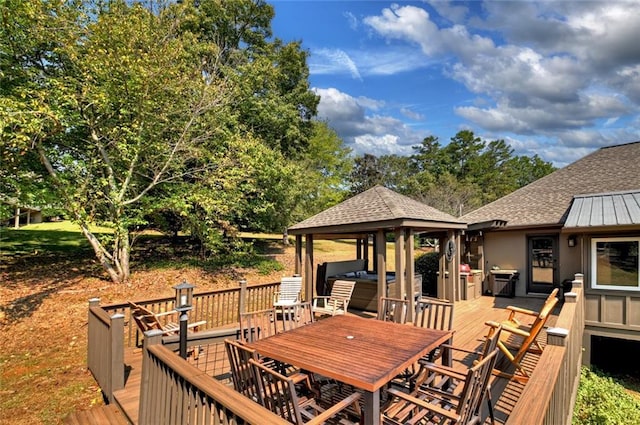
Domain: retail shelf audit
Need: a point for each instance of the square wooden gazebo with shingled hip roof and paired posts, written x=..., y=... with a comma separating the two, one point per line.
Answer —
x=374, y=213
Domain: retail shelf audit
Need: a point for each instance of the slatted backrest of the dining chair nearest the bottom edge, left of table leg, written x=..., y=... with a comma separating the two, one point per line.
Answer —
x=277, y=392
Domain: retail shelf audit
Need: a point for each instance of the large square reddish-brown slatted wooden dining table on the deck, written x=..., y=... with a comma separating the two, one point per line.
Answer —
x=365, y=353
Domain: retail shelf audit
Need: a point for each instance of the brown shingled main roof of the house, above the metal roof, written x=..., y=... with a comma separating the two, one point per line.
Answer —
x=546, y=201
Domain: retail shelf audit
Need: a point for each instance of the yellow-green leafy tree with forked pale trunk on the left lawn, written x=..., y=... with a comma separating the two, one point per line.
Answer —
x=114, y=106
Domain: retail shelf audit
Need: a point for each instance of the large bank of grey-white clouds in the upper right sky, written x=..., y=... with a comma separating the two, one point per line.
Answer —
x=555, y=69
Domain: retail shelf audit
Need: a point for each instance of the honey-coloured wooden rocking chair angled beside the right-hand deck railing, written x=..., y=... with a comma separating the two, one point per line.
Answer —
x=518, y=339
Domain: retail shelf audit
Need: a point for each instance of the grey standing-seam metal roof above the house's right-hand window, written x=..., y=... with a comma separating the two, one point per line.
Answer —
x=605, y=209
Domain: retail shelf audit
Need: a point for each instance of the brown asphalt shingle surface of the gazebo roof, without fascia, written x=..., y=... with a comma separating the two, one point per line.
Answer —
x=376, y=205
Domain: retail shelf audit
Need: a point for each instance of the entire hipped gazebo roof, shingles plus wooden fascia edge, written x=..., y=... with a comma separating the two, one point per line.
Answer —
x=377, y=208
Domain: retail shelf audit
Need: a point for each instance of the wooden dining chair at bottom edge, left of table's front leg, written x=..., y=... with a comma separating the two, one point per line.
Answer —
x=278, y=394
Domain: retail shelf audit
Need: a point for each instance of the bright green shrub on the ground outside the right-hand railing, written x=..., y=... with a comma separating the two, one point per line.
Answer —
x=602, y=400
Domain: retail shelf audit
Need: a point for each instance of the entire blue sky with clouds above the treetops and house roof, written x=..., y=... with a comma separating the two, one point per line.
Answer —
x=558, y=79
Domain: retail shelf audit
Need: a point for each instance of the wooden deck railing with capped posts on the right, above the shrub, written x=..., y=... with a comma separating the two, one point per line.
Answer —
x=549, y=396
